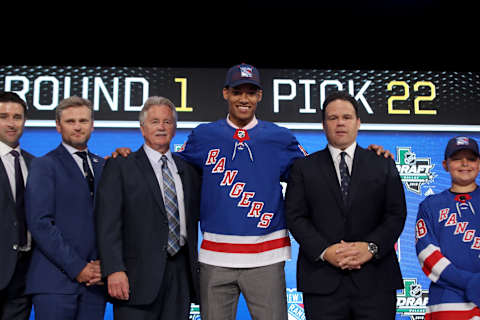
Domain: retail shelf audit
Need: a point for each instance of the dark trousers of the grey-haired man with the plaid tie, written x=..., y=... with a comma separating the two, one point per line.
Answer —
x=173, y=300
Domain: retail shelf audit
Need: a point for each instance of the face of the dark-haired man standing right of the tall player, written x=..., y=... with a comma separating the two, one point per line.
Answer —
x=341, y=124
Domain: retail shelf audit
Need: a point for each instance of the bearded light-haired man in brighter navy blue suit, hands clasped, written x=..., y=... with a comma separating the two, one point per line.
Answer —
x=64, y=276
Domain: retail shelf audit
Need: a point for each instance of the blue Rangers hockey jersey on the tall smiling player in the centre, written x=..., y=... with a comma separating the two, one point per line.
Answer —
x=242, y=211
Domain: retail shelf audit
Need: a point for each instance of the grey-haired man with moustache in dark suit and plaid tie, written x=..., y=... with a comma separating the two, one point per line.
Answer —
x=147, y=211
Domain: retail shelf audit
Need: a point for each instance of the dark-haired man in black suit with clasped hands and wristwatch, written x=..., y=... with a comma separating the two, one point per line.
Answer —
x=346, y=208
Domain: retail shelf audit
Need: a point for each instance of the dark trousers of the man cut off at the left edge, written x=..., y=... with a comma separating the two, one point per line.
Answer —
x=14, y=304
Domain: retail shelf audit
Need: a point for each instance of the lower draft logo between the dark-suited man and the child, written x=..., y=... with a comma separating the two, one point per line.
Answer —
x=412, y=301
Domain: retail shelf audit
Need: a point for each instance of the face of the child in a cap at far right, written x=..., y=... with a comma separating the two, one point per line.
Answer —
x=463, y=167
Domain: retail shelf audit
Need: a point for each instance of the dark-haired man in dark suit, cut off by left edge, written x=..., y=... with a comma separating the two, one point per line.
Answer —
x=15, y=240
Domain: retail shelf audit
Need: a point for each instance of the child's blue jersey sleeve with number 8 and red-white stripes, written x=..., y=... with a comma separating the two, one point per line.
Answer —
x=439, y=268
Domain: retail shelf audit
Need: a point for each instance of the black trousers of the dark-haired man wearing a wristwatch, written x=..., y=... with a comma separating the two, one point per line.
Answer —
x=350, y=303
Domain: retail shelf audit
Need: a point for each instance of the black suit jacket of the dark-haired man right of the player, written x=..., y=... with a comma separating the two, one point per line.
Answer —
x=317, y=218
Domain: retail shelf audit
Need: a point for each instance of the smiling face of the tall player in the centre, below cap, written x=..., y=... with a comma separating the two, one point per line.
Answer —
x=242, y=103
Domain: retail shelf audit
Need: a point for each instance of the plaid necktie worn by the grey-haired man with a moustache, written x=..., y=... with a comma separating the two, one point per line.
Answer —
x=171, y=206
